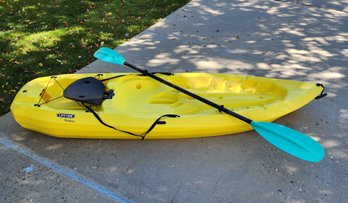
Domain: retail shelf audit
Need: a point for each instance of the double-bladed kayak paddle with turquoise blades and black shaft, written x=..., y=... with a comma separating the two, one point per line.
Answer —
x=286, y=139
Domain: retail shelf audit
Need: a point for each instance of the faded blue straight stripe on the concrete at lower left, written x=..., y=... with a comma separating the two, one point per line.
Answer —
x=65, y=171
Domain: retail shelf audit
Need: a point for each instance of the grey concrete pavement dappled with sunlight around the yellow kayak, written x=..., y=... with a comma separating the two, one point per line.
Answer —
x=305, y=41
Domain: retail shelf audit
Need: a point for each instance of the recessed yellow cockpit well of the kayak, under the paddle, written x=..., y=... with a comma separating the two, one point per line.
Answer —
x=143, y=95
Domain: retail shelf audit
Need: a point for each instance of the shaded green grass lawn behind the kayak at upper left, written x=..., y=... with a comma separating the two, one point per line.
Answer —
x=40, y=37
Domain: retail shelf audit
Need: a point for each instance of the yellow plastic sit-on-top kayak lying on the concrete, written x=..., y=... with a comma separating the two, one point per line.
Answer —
x=133, y=106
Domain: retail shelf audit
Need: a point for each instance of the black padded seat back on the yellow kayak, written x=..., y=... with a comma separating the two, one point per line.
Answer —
x=88, y=90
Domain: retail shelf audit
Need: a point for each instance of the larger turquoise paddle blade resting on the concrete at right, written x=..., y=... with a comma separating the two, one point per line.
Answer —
x=290, y=141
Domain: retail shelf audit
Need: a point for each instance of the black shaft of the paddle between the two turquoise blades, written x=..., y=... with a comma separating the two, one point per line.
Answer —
x=206, y=101
